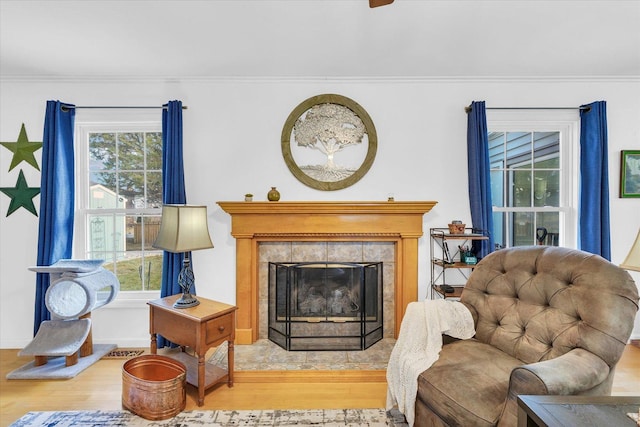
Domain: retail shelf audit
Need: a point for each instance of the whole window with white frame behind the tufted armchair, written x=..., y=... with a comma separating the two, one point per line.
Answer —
x=533, y=180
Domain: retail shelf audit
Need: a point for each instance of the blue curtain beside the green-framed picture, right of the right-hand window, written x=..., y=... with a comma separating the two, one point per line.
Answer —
x=594, y=233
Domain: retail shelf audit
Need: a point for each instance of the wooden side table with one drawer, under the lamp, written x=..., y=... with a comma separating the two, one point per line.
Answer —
x=201, y=327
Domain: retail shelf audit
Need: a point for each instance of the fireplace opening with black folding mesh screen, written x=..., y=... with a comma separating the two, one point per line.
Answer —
x=315, y=306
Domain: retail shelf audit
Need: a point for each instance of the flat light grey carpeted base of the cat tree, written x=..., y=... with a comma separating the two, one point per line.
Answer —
x=55, y=368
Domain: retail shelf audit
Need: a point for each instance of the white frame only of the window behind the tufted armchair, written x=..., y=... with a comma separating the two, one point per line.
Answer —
x=567, y=124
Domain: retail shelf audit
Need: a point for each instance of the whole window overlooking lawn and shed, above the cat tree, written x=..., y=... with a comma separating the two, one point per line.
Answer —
x=120, y=201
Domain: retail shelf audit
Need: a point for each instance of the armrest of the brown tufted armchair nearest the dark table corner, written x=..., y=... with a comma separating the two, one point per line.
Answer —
x=572, y=373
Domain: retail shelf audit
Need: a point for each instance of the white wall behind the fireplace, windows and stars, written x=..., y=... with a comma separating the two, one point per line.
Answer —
x=232, y=146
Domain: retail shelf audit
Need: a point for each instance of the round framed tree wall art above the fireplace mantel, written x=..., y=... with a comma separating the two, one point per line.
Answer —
x=329, y=142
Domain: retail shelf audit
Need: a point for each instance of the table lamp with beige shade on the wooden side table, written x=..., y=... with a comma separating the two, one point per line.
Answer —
x=184, y=229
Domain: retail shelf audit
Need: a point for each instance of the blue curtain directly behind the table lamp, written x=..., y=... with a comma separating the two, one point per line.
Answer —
x=173, y=192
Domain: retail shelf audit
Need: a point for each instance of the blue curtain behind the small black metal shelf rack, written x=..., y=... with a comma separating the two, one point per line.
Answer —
x=479, y=176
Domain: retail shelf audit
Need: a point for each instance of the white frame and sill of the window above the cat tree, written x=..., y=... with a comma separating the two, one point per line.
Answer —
x=81, y=235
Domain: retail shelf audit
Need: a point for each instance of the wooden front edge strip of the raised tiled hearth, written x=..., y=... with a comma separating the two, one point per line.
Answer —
x=338, y=376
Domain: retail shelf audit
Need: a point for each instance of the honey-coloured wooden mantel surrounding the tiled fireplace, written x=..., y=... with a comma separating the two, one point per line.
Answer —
x=253, y=222
